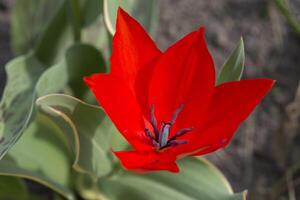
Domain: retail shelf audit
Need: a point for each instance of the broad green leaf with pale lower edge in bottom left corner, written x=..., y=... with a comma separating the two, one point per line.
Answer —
x=42, y=156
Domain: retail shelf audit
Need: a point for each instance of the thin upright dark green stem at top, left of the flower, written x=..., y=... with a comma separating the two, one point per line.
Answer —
x=76, y=19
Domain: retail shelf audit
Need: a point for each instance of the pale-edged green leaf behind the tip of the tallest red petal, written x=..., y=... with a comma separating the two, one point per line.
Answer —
x=146, y=12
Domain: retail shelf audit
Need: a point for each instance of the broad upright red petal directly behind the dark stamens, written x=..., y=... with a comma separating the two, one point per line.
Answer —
x=184, y=74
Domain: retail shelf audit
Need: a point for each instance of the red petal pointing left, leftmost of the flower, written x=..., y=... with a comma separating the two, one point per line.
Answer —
x=121, y=106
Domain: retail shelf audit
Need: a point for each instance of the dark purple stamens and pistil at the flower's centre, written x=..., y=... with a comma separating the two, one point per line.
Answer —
x=160, y=136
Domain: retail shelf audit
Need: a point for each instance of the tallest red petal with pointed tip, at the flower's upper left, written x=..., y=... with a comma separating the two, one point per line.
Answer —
x=132, y=48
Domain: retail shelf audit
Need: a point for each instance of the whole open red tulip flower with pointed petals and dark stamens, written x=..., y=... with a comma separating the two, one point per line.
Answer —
x=166, y=104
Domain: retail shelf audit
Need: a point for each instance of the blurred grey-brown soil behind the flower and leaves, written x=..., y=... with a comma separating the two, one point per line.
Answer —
x=264, y=154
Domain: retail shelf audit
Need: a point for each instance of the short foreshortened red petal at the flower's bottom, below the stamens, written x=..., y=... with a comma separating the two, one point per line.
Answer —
x=147, y=161
